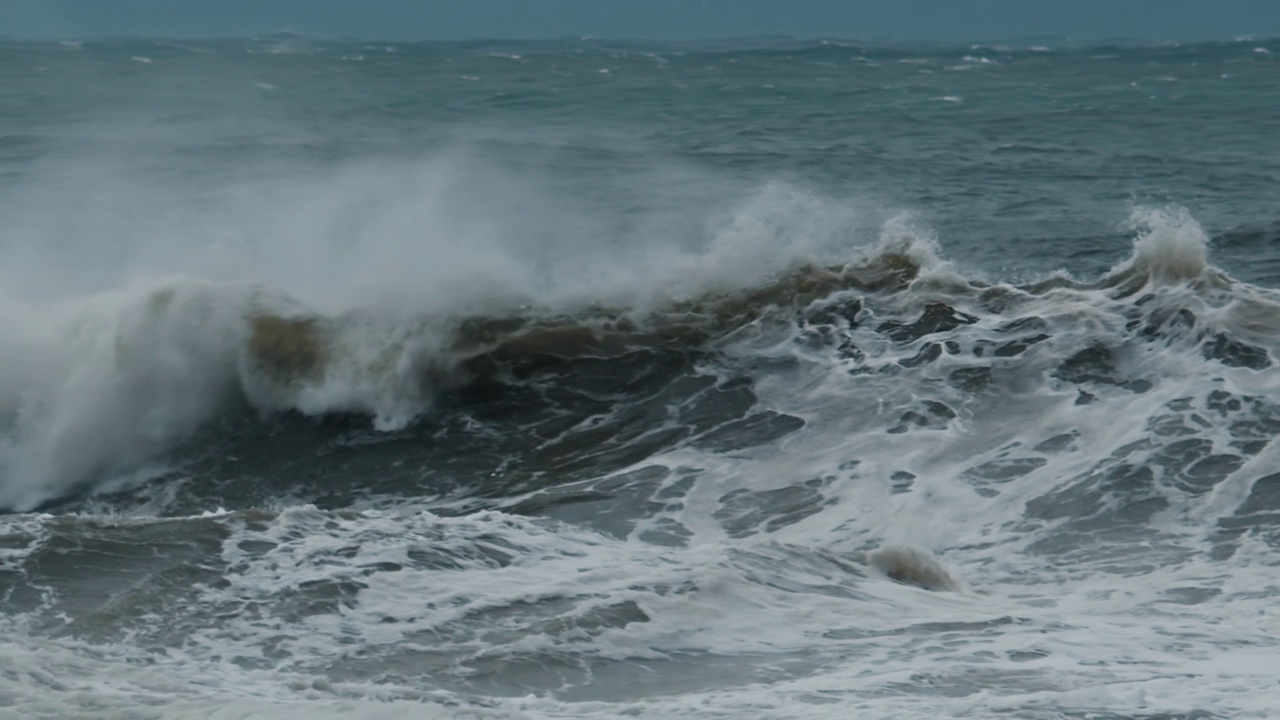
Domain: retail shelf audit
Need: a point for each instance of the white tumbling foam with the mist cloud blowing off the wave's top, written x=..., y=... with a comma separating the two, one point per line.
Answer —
x=126, y=332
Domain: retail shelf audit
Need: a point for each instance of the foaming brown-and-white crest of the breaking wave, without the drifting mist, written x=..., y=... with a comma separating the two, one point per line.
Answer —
x=112, y=384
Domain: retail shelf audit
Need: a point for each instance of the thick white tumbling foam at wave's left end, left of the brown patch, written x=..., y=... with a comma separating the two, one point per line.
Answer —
x=97, y=388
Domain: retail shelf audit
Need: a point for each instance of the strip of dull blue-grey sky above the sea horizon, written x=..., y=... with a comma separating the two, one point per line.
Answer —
x=454, y=20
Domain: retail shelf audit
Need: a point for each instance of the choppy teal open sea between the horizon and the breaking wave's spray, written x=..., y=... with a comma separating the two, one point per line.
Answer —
x=1023, y=158
